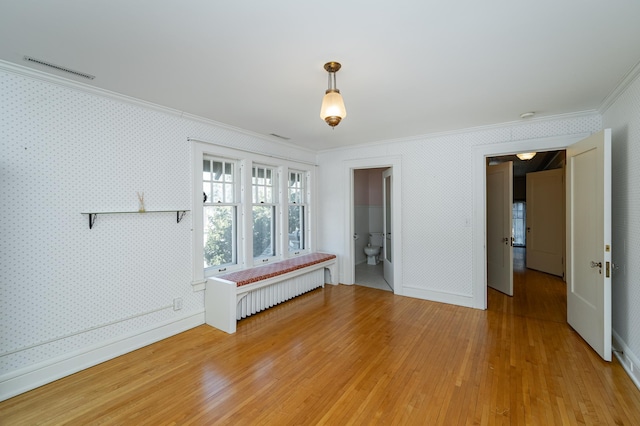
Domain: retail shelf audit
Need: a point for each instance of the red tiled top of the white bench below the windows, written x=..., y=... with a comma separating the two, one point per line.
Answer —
x=259, y=273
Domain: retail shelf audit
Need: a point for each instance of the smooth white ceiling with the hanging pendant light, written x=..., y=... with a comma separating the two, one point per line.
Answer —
x=408, y=67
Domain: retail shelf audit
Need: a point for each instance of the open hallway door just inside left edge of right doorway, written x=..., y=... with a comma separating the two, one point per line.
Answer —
x=499, y=242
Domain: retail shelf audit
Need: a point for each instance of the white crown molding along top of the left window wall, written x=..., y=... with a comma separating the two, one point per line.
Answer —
x=86, y=88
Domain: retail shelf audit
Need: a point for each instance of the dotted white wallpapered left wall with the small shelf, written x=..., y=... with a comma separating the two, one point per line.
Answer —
x=68, y=290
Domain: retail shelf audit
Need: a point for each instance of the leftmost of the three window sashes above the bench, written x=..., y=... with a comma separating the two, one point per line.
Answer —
x=220, y=212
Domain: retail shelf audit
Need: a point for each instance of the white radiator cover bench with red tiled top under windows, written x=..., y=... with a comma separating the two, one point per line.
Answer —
x=233, y=296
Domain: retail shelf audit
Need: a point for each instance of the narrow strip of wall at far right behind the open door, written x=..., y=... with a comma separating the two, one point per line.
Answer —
x=623, y=117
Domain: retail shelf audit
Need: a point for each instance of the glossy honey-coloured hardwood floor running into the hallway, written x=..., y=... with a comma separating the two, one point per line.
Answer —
x=355, y=355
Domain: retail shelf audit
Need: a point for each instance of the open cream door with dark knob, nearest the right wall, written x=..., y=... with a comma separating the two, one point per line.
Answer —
x=589, y=240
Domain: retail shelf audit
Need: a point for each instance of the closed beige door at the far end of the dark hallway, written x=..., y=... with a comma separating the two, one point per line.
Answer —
x=545, y=221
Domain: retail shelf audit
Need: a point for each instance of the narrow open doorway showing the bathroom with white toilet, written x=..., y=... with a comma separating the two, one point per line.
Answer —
x=372, y=236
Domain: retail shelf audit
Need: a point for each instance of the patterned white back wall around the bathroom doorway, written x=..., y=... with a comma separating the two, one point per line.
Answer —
x=437, y=206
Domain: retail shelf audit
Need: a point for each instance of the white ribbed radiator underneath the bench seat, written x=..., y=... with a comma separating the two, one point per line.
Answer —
x=266, y=297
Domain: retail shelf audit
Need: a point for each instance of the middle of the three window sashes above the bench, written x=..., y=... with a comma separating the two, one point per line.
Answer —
x=264, y=195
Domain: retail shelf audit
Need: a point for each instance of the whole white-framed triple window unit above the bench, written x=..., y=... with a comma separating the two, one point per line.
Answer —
x=249, y=209
